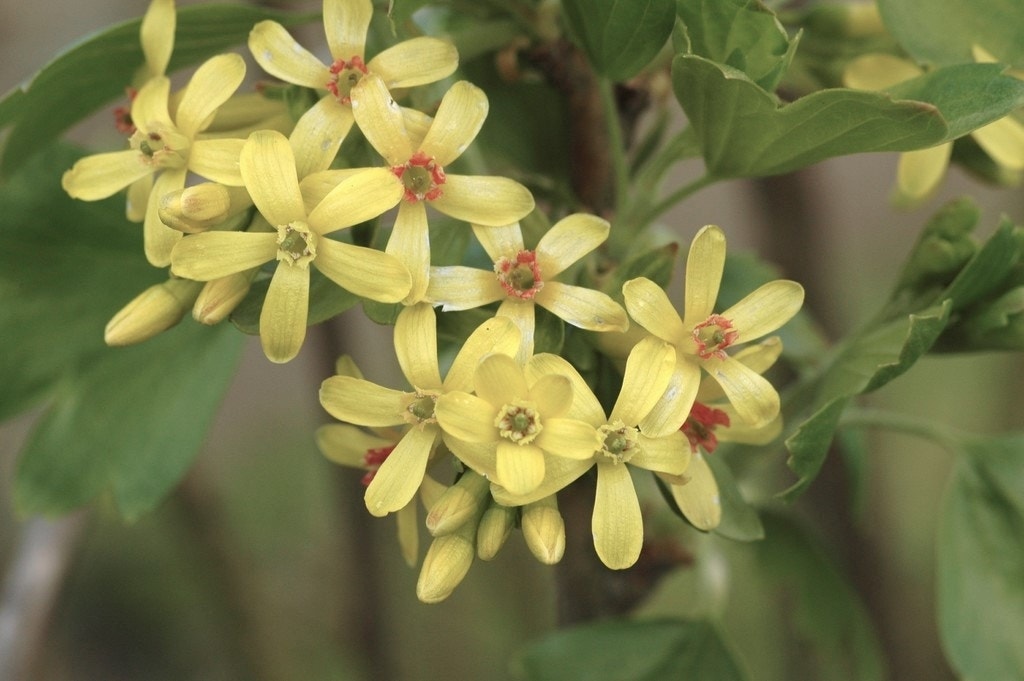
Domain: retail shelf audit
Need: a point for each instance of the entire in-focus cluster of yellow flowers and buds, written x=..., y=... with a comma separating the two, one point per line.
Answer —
x=520, y=427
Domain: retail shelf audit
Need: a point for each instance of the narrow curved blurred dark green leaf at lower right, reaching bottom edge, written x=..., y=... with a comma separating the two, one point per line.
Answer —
x=839, y=642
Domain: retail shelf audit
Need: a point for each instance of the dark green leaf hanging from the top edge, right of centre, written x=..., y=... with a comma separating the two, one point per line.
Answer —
x=621, y=38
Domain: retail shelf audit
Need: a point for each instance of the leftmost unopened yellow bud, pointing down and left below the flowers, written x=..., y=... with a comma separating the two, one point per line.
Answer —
x=156, y=310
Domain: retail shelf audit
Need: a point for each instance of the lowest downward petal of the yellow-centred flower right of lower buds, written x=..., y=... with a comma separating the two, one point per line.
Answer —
x=617, y=524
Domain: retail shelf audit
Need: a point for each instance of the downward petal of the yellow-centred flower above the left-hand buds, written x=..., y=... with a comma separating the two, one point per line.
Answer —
x=283, y=321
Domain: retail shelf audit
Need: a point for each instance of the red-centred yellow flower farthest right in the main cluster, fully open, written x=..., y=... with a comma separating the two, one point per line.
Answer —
x=703, y=337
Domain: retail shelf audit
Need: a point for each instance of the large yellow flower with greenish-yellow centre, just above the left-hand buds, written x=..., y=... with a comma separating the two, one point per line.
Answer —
x=300, y=238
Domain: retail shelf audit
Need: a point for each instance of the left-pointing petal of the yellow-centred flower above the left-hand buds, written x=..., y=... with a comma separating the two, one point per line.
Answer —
x=215, y=254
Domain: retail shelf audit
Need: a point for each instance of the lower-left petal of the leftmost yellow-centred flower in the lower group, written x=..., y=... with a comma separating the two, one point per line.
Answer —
x=400, y=477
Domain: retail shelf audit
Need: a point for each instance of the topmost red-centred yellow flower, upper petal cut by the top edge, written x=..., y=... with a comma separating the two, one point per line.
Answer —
x=412, y=63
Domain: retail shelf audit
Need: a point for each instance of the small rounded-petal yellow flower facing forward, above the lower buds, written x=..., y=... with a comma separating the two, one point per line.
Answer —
x=516, y=422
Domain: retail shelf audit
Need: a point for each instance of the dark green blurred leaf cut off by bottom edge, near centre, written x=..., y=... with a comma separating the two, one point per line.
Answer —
x=624, y=651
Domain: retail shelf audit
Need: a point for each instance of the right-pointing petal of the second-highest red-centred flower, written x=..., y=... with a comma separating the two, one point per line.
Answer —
x=488, y=201
